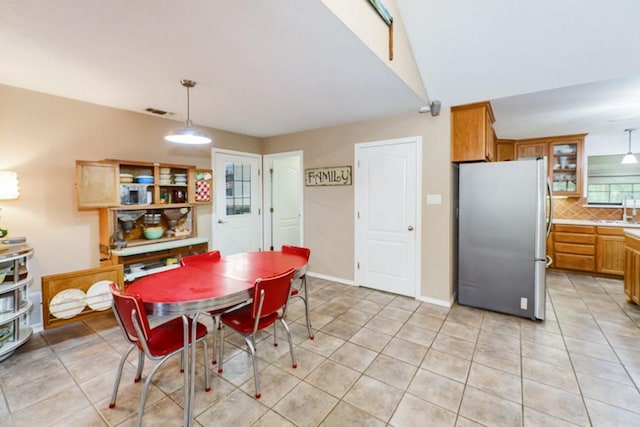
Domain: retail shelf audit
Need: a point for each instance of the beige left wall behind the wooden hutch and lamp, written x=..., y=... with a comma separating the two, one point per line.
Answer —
x=41, y=136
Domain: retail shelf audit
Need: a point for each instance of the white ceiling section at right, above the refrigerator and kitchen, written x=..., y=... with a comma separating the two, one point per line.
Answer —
x=548, y=67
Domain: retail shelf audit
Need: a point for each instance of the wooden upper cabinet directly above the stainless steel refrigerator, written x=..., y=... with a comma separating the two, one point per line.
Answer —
x=472, y=135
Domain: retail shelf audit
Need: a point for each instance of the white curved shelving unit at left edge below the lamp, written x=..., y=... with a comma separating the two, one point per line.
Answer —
x=15, y=320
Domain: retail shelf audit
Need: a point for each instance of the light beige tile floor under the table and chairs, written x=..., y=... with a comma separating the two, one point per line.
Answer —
x=378, y=359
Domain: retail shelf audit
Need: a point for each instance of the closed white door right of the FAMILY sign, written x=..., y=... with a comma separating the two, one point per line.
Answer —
x=387, y=189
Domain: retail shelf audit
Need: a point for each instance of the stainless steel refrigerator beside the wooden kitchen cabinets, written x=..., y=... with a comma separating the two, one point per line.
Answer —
x=503, y=223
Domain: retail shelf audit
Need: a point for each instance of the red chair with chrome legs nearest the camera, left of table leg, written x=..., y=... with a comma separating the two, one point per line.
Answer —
x=158, y=343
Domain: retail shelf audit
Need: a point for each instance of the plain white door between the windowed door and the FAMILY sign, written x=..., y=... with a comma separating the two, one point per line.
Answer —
x=283, y=200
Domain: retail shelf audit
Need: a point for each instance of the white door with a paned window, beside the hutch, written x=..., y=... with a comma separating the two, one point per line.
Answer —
x=237, y=222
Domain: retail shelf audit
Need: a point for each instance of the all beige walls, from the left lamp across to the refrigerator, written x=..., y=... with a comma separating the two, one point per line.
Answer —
x=41, y=136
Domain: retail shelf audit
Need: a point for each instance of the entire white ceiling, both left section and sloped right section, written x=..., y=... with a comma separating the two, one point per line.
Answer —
x=266, y=68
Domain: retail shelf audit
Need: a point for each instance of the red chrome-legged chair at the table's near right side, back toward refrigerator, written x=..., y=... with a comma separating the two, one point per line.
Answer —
x=269, y=296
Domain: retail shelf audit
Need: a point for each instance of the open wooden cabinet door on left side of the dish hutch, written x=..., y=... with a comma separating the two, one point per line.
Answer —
x=97, y=184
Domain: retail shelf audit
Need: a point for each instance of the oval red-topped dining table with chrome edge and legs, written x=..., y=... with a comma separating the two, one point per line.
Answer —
x=205, y=286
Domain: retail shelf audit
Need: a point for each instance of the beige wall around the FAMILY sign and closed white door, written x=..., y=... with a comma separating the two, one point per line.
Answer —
x=328, y=211
